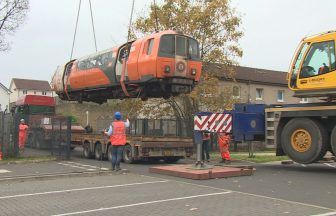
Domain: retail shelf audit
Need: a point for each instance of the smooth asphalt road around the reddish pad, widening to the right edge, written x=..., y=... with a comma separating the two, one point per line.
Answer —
x=314, y=184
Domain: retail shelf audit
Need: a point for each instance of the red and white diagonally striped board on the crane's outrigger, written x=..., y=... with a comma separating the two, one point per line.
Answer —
x=217, y=122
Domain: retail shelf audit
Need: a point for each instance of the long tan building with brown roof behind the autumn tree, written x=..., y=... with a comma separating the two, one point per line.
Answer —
x=259, y=86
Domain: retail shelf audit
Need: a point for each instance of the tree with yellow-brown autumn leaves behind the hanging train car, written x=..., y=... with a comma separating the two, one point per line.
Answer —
x=216, y=26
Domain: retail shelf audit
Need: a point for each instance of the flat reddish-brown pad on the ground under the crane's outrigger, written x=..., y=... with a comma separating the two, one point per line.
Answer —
x=186, y=171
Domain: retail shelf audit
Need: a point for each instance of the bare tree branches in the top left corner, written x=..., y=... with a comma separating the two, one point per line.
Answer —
x=12, y=15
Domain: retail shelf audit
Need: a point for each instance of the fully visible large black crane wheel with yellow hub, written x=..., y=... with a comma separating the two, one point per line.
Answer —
x=304, y=140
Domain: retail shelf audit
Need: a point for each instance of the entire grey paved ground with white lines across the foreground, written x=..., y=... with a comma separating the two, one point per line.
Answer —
x=274, y=189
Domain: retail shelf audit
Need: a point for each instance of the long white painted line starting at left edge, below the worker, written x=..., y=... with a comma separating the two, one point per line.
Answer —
x=79, y=189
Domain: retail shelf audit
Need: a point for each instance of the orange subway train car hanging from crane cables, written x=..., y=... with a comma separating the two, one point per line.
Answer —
x=160, y=65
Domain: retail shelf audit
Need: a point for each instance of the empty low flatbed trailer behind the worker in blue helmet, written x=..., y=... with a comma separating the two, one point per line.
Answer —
x=170, y=149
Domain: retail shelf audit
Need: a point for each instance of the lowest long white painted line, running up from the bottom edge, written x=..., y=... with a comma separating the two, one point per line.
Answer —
x=144, y=203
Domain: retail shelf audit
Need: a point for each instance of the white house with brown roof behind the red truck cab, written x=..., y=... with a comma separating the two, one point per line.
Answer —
x=19, y=87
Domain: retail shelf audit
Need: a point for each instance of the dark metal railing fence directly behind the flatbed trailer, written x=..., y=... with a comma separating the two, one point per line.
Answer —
x=150, y=127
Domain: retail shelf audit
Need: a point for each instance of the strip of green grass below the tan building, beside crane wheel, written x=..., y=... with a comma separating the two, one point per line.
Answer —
x=258, y=157
